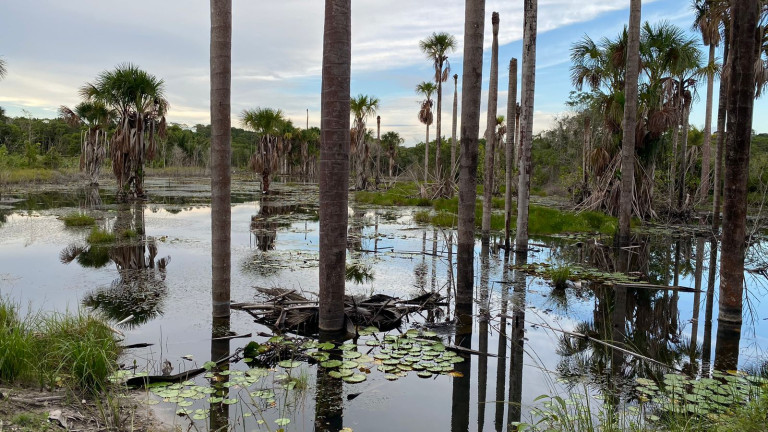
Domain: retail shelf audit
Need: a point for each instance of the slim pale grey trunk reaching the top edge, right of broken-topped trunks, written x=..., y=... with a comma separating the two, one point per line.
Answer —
x=526, y=122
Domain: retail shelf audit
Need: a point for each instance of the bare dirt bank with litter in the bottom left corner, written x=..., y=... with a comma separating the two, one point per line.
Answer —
x=28, y=410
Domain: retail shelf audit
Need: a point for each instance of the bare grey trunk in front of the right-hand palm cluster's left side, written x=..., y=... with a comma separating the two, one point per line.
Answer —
x=630, y=122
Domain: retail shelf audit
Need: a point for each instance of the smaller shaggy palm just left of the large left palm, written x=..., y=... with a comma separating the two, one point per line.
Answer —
x=97, y=118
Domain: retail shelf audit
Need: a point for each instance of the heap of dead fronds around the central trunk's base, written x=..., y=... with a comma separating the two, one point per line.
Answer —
x=289, y=310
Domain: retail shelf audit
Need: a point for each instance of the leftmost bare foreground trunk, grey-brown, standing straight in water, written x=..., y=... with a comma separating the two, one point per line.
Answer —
x=221, y=155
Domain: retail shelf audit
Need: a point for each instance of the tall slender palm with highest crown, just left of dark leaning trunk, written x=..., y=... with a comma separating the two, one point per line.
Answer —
x=436, y=48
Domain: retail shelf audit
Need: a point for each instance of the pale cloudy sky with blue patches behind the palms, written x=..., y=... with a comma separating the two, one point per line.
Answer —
x=53, y=47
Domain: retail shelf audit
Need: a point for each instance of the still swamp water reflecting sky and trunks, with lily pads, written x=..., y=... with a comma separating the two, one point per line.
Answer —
x=159, y=272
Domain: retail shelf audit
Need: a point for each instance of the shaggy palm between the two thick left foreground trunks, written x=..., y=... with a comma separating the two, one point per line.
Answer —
x=268, y=123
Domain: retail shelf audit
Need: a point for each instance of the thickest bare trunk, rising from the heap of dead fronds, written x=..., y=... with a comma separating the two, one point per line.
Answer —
x=334, y=162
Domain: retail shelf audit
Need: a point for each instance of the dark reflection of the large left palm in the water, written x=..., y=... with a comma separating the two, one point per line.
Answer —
x=140, y=289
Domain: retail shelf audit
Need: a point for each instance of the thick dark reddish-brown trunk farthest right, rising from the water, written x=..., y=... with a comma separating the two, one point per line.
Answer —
x=741, y=99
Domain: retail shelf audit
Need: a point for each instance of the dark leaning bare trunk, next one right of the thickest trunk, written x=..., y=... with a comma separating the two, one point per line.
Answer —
x=474, y=24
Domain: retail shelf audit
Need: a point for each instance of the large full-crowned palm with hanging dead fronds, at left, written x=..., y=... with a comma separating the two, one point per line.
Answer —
x=138, y=100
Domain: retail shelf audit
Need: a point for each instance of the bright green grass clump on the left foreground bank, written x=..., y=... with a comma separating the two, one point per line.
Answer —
x=79, y=350
